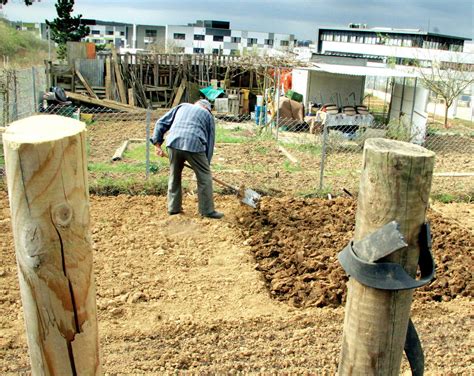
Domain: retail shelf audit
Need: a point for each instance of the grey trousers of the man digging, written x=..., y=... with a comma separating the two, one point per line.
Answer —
x=200, y=165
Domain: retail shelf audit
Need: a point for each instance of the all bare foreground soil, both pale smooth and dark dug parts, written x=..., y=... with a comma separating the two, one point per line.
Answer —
x=183, y=293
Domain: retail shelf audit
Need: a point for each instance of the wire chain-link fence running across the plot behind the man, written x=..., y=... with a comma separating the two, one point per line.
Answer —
x=318, y=153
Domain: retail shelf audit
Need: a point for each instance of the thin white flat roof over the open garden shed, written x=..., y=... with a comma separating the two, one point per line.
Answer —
x=357, y=70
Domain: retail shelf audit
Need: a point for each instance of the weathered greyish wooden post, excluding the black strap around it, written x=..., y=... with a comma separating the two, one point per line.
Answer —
x=395, y=185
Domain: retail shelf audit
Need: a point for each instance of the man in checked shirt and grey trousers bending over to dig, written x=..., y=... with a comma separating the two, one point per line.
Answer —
x=191, y=139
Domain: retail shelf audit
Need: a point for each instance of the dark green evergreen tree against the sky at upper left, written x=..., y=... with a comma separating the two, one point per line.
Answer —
x=66, y=28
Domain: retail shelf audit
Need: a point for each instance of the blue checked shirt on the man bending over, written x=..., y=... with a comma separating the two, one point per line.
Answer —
x=191, y=128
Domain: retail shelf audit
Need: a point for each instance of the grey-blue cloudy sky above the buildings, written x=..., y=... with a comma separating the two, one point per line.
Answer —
x=299, y=17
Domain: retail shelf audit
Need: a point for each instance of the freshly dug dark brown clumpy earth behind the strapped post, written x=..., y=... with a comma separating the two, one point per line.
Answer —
x=296, y=241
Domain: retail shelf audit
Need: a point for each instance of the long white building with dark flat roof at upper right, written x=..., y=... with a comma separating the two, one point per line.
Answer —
x=402, y=45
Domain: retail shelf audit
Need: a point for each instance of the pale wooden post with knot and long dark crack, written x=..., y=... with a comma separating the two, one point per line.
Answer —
x=45, y=160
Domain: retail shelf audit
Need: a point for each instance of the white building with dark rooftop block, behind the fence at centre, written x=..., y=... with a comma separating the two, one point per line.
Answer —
x=210, y=36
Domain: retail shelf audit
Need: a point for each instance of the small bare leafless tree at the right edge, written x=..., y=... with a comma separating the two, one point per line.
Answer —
x=447, y=80
